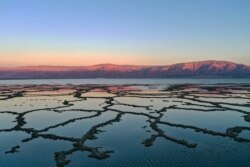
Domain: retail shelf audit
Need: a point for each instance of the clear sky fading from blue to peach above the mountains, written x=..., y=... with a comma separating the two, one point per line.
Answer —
x=136, y=32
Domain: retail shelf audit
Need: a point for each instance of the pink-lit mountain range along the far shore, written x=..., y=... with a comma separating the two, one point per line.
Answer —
x=201, y=69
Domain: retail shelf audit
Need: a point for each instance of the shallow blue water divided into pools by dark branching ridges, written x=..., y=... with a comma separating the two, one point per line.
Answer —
x=125, y=125
